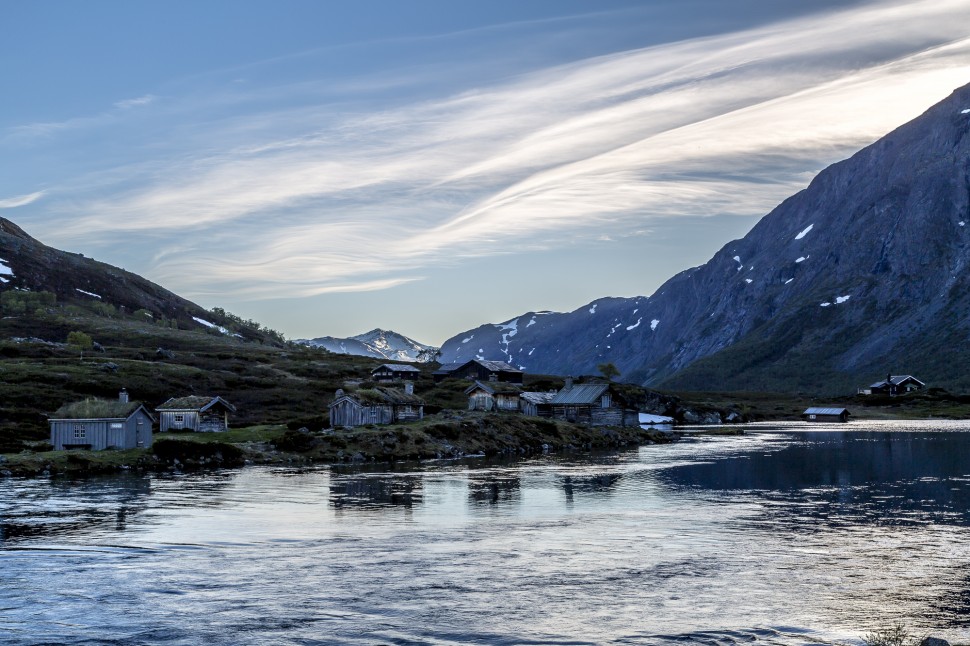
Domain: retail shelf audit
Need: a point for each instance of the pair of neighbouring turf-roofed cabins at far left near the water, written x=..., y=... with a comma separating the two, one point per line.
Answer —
x=97, y=424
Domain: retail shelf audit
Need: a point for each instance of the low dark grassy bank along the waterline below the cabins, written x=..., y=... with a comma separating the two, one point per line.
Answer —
x=444, y=435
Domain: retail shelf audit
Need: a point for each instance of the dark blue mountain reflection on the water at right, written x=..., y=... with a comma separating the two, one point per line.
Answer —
x=867, y=477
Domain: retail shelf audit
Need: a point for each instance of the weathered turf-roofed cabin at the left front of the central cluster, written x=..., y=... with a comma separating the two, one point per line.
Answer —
x=379, y=405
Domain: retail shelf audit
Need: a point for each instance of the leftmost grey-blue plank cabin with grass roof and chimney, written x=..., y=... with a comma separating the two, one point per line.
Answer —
x=98, y=424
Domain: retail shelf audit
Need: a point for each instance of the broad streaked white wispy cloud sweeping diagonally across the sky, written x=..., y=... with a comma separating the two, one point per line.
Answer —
x=360, y=199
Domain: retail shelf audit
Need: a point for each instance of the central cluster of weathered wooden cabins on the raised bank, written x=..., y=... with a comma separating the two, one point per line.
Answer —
x=495, y=386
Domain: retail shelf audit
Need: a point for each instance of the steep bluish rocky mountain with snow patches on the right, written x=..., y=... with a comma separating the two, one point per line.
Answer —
x=862, y=273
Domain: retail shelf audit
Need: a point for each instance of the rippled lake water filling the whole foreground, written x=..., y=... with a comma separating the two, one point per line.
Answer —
x=789, y=535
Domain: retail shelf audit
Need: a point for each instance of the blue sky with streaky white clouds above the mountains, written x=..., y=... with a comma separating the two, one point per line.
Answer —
x=326, y=168
